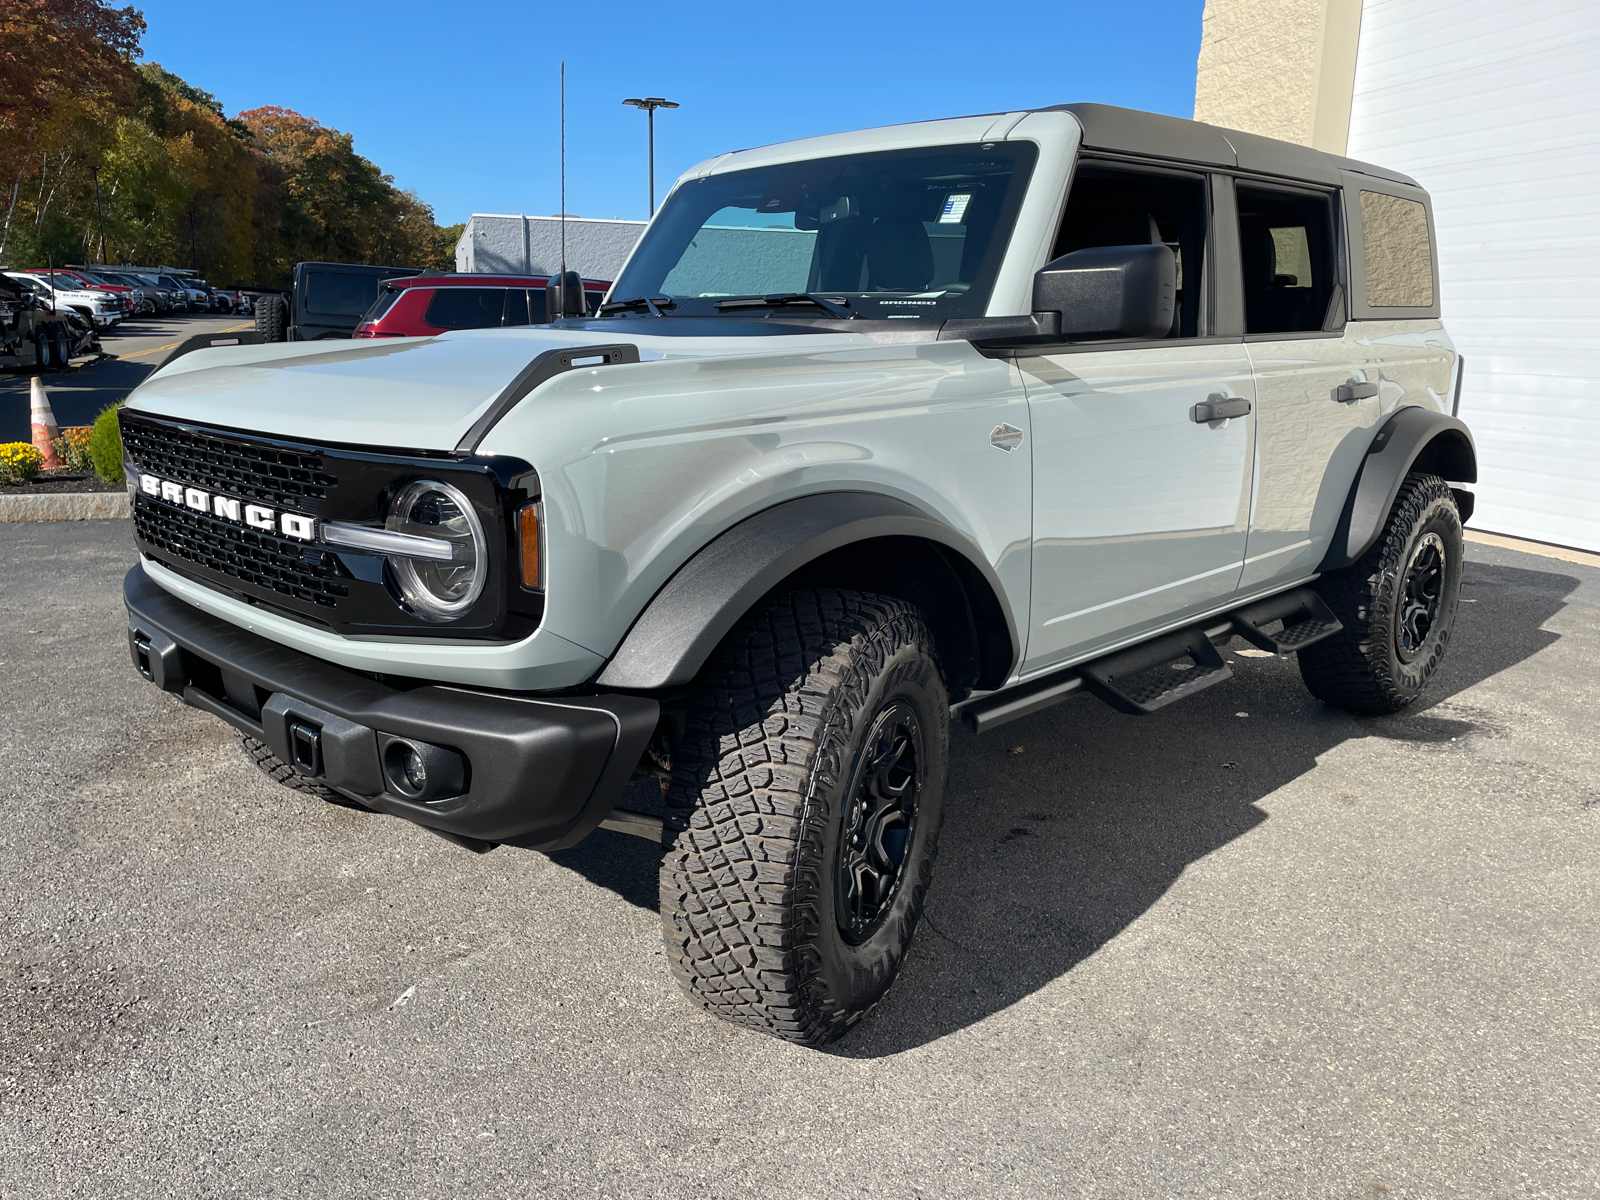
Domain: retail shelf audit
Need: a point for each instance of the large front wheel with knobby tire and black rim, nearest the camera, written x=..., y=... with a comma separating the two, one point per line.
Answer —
x=804, y=814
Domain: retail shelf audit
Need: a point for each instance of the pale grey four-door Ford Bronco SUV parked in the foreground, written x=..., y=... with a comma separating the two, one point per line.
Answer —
x=878, y=431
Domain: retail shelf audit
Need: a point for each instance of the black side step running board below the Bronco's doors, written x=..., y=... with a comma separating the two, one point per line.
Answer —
x=1166, y=670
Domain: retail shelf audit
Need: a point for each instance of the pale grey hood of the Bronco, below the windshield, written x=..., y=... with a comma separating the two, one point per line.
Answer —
x=404, y=393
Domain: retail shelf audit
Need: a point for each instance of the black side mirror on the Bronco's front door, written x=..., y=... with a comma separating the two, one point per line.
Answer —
x=1110, y=292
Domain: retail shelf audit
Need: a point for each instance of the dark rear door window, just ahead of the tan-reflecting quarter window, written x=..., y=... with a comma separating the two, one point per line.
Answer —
x=1290, y=270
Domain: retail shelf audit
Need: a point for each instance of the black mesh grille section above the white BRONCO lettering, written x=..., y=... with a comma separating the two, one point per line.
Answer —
x=282, y=478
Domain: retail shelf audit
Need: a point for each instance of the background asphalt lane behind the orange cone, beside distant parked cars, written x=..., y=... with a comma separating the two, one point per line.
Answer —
x=132, y=351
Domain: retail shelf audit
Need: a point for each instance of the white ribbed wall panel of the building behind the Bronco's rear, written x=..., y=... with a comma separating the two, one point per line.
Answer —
x=1495, y=110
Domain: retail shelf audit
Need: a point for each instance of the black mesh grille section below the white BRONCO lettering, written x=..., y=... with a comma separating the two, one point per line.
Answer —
x=250, y=556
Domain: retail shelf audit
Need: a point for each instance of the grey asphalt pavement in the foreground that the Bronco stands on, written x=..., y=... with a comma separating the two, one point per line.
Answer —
x=1202, y=954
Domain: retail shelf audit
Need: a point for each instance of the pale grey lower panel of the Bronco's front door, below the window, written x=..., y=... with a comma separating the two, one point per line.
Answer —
x=1140, y=511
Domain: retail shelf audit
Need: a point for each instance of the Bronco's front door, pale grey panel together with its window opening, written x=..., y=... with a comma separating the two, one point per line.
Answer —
x=1140, y=511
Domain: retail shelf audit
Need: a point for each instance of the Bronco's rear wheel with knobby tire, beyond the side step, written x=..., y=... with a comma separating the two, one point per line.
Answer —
x=1398, y=607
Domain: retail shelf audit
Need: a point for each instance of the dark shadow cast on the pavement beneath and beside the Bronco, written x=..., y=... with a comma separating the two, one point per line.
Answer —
x=1063, y=828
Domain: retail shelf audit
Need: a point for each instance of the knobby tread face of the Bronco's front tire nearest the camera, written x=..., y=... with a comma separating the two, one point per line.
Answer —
x=738, y=914
